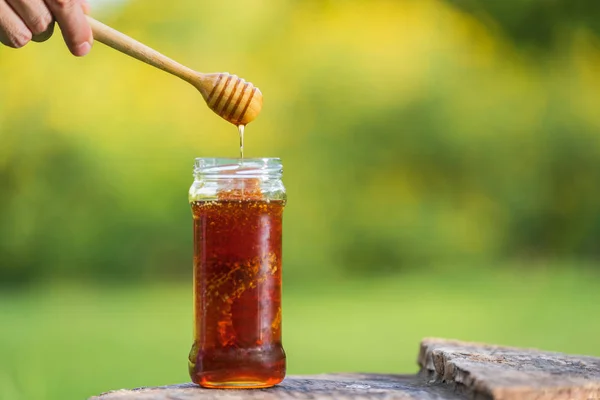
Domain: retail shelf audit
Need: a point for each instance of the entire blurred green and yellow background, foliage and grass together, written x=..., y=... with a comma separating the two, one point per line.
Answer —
x=442, y=161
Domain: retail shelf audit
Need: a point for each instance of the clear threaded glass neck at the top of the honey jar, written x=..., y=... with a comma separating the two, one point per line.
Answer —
x=235, y=168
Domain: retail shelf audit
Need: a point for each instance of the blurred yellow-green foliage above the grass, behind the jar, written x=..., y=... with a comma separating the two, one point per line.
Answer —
x=412, y=135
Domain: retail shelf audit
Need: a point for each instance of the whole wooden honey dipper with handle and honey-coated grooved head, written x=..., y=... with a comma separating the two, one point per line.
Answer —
x=231, y=97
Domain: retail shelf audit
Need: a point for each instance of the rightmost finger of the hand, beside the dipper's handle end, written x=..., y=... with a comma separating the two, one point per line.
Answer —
x=73, y=24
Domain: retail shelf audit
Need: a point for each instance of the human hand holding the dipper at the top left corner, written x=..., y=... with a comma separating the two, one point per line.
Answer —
x=24, y=20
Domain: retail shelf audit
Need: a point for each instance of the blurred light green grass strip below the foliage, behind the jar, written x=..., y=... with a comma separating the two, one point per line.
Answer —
x=71, y=341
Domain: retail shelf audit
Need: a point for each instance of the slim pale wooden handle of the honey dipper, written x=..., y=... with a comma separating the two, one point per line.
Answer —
x=123, y=43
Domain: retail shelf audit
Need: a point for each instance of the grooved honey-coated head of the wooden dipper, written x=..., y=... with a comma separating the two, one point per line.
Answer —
x=231, y=97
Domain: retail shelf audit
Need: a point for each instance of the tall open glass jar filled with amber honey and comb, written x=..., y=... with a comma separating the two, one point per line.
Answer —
x=237, y=206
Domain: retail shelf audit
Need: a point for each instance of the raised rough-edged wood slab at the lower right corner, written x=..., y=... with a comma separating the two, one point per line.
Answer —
x=497, y=372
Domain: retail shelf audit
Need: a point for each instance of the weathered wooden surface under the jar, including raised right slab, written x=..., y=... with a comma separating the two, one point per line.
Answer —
x=449, y=370
